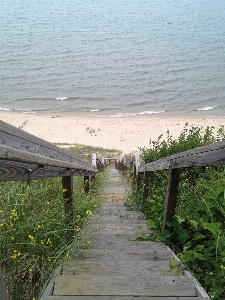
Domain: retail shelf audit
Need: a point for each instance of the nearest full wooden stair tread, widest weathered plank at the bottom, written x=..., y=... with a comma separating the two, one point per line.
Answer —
x=101, y=285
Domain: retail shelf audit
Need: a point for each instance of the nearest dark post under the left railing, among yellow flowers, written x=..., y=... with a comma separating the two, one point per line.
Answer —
x=67, y=185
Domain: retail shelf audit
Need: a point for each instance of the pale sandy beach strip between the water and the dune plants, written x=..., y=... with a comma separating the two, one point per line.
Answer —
x=124, y=133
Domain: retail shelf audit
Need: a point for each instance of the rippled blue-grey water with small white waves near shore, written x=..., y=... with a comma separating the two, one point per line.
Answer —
x=113, y=57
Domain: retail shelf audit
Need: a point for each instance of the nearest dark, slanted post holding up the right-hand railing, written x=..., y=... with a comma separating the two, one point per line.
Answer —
x=172, y=193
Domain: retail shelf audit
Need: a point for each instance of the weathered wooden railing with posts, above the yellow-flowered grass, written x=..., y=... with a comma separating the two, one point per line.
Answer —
x=26, y=157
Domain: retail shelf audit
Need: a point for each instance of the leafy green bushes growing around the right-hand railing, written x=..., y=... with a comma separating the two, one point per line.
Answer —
x=196, y=233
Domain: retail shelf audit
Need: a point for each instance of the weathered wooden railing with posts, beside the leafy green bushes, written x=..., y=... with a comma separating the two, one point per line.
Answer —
x=210, y=155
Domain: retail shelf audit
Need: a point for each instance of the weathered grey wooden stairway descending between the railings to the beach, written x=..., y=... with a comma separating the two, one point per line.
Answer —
x=118, y=267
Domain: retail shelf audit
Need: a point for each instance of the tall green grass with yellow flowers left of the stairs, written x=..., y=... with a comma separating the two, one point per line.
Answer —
x=35, y=236
